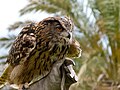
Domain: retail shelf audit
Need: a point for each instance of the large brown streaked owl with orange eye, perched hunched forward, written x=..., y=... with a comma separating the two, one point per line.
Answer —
x=37, y=47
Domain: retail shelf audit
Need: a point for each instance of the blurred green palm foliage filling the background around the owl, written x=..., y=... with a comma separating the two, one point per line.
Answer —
x=97, y=28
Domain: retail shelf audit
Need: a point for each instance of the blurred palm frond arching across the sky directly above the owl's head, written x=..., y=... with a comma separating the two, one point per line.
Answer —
x=50, y=6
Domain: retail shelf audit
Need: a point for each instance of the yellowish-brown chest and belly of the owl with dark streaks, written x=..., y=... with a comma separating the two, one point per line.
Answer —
x=40, y=61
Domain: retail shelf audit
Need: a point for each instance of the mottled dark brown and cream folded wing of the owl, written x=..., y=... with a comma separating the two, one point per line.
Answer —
x=23, y=45
